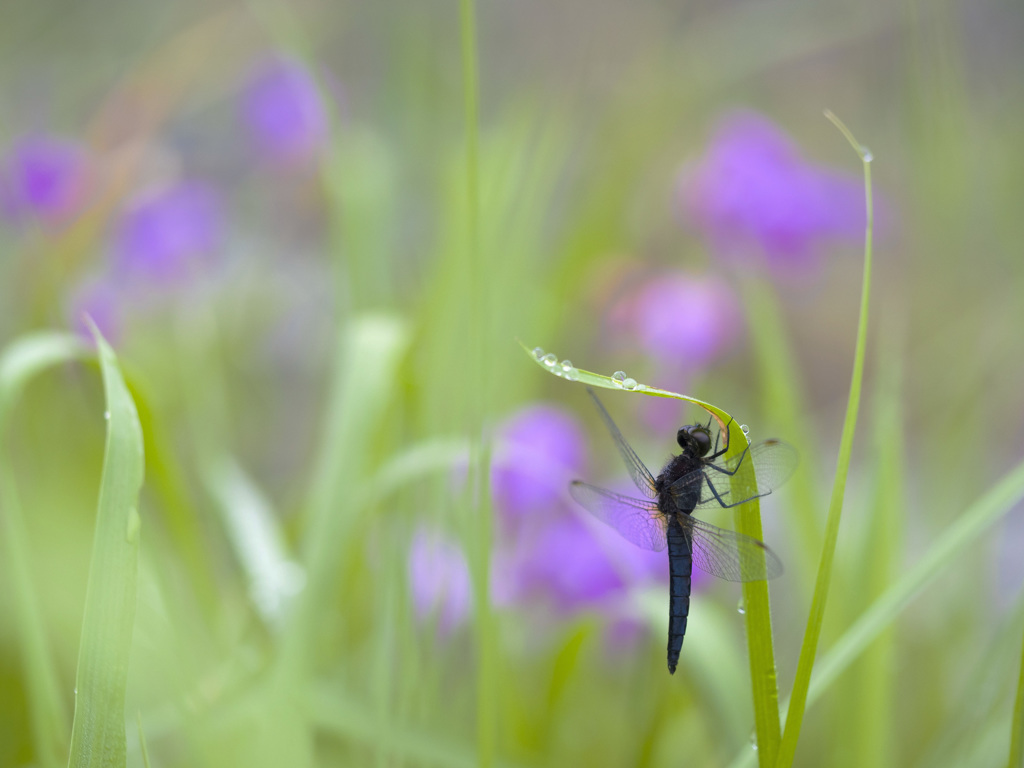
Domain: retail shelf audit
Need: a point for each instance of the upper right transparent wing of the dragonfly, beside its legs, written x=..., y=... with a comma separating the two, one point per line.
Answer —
x=774, y=463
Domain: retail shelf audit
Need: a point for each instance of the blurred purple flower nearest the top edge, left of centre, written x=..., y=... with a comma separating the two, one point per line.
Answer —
x=283, y=112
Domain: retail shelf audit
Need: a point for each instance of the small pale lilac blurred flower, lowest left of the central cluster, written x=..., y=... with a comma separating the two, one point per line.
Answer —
x=439, y=580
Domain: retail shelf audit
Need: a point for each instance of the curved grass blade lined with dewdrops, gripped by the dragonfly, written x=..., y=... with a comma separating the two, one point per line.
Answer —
x=760, y=647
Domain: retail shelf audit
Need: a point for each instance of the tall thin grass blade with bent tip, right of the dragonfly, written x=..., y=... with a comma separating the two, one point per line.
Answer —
x=809, y=650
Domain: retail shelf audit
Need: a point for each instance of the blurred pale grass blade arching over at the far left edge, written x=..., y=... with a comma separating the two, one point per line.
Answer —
x=23, y=361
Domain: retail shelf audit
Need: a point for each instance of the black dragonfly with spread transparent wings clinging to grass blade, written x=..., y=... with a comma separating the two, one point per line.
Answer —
x=698, y=479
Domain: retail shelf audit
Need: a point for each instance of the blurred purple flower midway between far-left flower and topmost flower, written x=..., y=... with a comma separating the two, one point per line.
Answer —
x=166, y=235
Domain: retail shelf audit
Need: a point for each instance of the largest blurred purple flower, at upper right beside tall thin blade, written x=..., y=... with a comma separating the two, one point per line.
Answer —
x=753, y=191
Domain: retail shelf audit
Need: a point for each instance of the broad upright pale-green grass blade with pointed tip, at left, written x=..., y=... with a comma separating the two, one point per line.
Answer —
x=99, y=730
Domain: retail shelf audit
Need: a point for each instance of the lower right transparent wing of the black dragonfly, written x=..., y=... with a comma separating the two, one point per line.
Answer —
x=730, y=556
